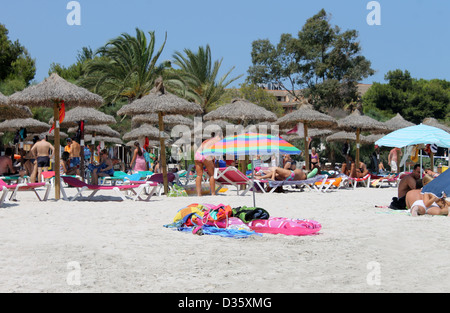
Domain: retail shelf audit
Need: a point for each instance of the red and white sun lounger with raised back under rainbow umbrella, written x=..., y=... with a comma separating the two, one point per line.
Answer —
x=232, y=176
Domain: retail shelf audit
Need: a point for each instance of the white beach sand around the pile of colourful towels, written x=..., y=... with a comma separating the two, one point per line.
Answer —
x=123, y=247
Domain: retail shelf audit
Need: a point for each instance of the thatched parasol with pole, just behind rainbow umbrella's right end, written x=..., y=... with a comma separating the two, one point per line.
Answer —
x=309, y=118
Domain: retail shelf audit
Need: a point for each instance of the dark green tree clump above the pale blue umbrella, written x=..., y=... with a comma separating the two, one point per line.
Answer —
x=414, y=99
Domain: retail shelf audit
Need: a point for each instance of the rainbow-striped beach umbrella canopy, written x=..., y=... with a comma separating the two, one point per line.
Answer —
x=251, y=144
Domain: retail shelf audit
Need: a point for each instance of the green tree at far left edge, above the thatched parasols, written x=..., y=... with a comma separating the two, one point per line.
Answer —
x=17, y=68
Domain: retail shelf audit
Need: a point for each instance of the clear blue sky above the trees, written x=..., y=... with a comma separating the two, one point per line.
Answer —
x=413, y=35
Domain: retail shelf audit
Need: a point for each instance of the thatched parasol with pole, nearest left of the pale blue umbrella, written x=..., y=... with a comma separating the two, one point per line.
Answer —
x=359, y=122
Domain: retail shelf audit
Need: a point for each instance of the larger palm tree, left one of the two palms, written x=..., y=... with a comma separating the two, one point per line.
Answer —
x=125, y=67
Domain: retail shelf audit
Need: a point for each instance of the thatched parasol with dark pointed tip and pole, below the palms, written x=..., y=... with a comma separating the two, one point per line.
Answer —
x=162, y=102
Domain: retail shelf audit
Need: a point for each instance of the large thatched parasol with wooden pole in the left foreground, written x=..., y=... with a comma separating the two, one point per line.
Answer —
x=53, y=92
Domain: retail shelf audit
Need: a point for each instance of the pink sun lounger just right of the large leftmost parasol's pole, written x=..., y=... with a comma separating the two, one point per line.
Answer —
x=136, y=189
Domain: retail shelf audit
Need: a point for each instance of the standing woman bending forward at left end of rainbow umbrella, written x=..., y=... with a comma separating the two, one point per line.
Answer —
x=205, y=161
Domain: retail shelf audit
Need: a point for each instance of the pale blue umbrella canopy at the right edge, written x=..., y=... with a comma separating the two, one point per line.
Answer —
x=415, y=135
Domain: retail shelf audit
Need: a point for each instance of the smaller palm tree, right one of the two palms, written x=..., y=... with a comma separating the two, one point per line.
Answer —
x=201, y=76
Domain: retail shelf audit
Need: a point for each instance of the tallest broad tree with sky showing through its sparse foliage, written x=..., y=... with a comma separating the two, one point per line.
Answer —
x=323, y=61
